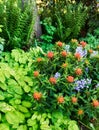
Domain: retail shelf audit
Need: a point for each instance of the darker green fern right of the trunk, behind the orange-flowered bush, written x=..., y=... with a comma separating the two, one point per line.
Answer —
x=70, y=20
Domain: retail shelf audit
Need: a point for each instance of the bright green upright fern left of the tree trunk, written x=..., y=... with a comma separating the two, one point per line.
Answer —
x=18, y=23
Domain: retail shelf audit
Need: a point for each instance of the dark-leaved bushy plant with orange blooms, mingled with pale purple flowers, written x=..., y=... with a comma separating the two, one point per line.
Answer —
x=67, y=78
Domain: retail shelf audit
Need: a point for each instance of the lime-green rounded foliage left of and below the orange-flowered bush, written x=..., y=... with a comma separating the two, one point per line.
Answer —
x=17, y=108
